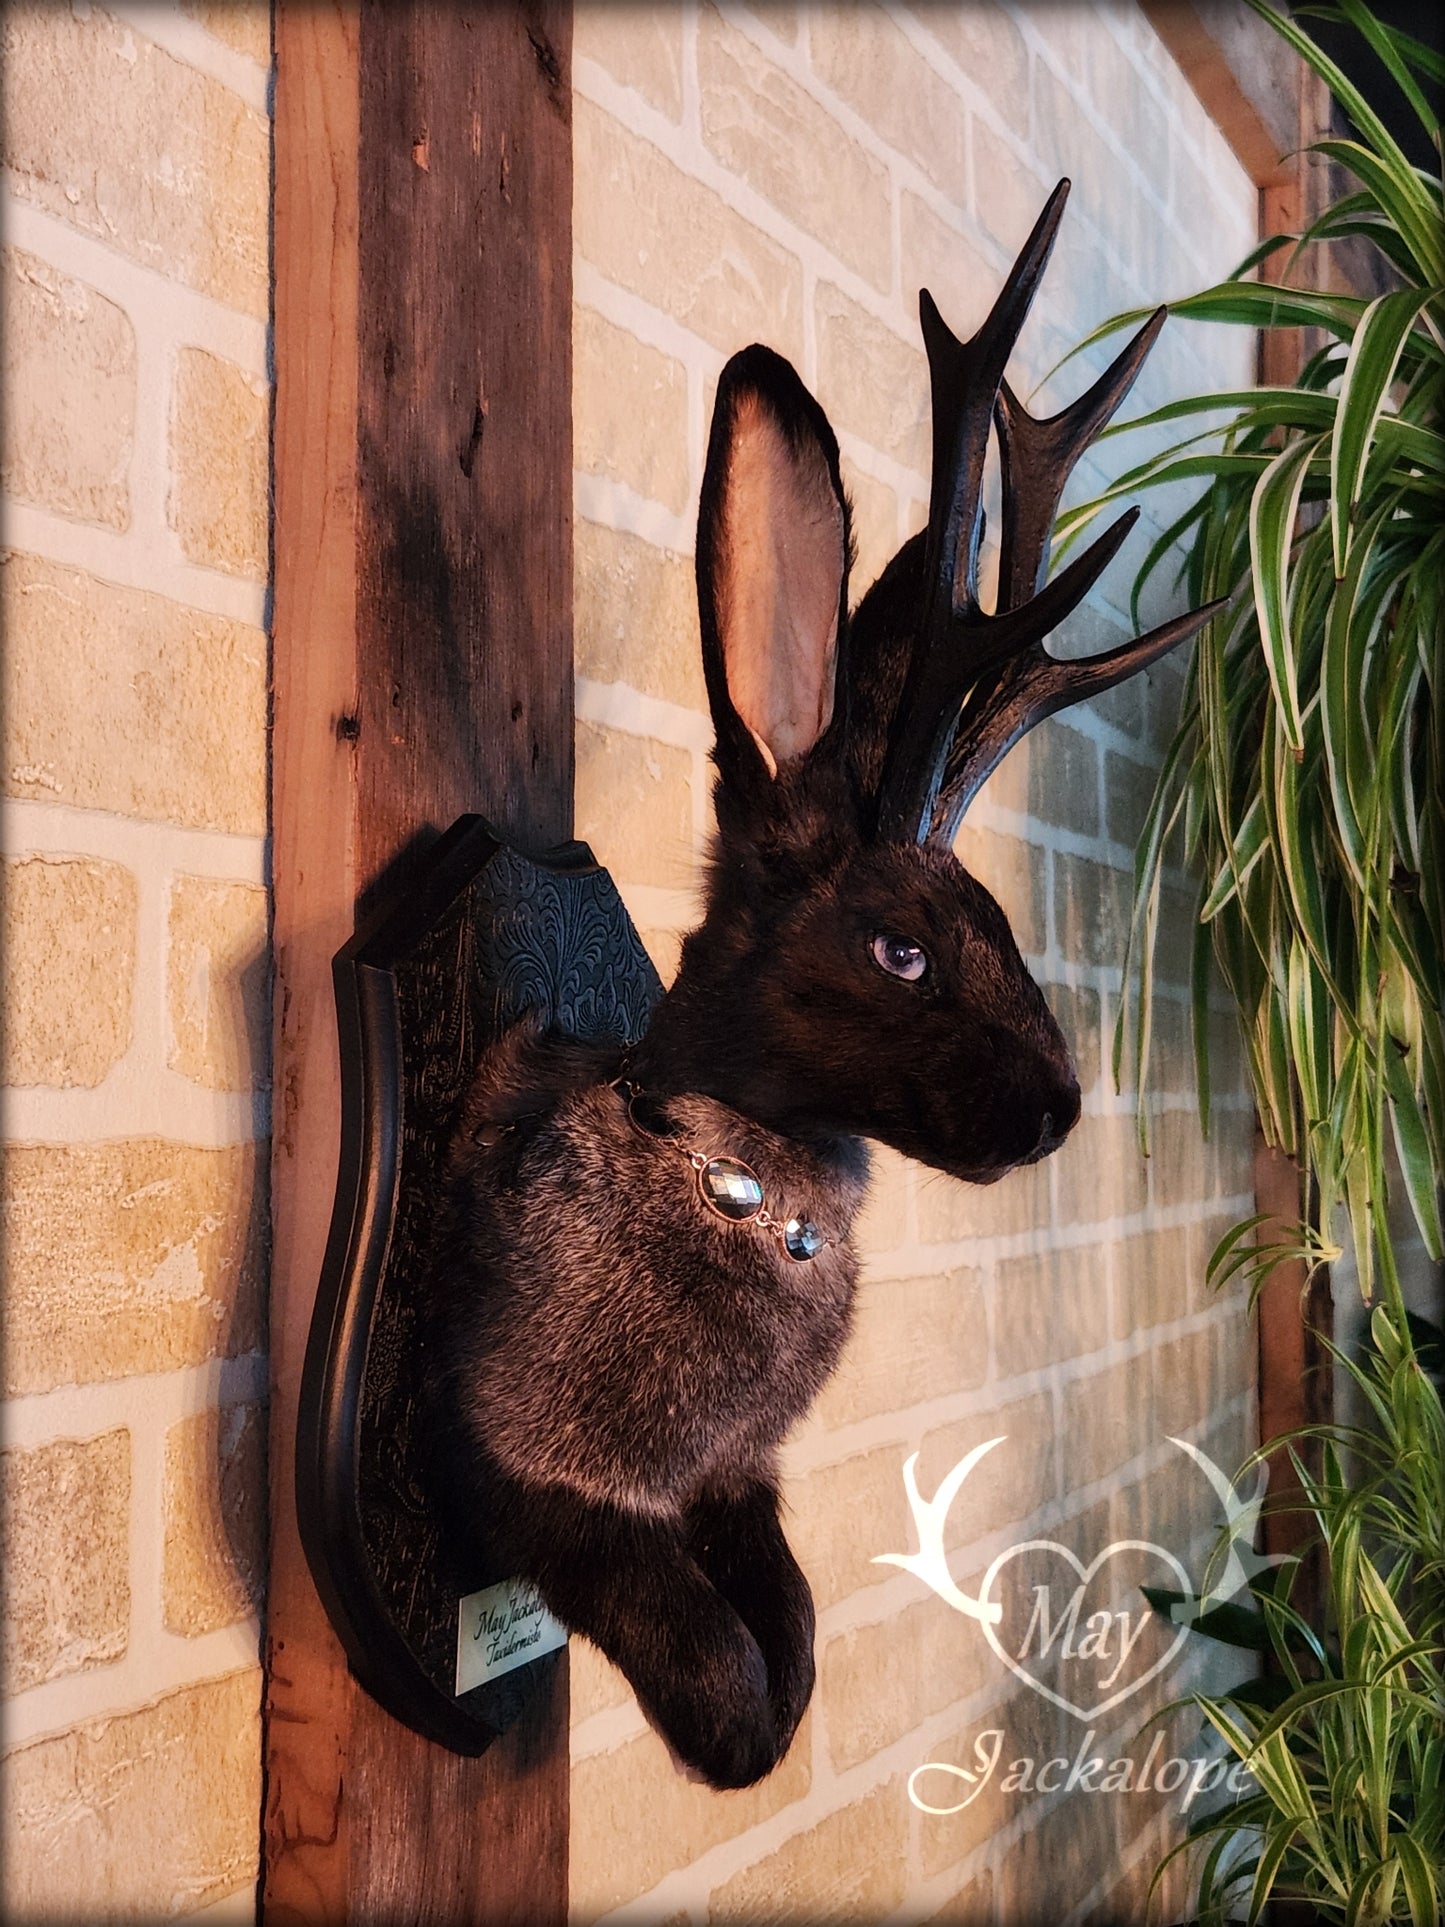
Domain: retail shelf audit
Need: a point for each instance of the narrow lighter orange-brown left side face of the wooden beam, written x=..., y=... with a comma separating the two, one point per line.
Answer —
x=309, y=1691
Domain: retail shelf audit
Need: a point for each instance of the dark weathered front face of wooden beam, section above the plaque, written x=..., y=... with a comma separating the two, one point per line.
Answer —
x=465, y=413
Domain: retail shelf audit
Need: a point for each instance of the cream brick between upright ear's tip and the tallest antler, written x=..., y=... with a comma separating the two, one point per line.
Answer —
x=870, y=381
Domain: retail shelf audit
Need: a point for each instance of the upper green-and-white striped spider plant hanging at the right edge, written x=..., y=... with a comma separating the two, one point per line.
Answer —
x=1307, y=778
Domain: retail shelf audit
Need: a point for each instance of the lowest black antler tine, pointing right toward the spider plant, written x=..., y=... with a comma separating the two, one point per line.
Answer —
x=1030, y=689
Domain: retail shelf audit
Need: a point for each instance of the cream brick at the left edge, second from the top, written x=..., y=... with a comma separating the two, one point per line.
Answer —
x=68, y=429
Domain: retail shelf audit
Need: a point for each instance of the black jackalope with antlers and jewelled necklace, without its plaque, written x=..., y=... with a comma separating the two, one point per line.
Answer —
x=644, y=1269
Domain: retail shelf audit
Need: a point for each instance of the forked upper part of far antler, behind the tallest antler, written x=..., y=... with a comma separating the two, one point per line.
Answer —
x=1038, y=458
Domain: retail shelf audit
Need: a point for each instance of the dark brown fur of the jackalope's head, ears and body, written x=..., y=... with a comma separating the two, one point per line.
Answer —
x=617, y=1365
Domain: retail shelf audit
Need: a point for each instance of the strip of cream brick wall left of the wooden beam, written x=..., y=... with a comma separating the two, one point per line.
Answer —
x=138, y=1003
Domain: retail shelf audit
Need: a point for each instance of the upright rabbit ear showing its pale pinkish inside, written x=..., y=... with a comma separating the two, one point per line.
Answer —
x=772, y=568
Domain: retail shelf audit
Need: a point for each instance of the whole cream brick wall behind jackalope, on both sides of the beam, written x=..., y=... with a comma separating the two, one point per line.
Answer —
x=774, y=174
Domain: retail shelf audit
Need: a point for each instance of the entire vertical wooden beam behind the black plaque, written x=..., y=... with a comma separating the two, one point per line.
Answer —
x=423, y=668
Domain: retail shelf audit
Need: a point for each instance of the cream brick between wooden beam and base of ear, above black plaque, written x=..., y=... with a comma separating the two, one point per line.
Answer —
x=635, y=805
